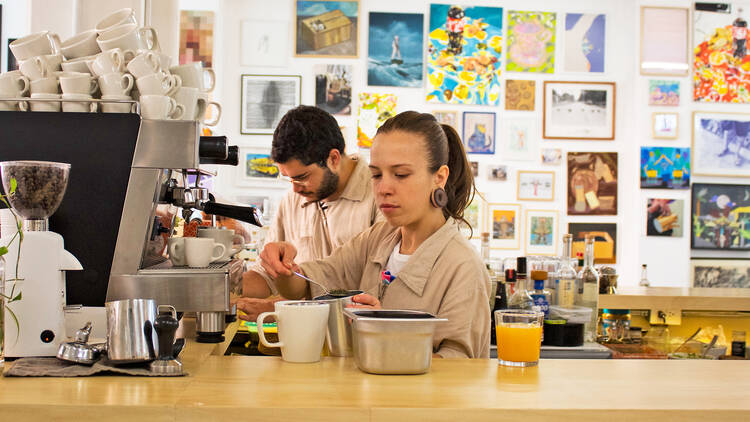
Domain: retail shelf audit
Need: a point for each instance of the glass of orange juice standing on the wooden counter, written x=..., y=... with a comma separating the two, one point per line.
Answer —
x=519, y=336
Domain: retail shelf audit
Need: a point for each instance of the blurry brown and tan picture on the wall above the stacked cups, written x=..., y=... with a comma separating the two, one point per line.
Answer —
x=197, y=37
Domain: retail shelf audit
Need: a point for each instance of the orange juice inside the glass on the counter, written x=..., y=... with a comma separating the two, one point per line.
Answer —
x=518, y=342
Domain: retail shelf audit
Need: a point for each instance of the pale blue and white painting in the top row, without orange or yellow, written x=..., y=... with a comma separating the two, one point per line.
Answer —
x=585, y=39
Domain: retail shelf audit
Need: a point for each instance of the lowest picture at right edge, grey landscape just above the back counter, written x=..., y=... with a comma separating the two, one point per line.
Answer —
x=721, y=273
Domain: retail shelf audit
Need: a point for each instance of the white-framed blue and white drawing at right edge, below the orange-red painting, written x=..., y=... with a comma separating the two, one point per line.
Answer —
x=721, y=144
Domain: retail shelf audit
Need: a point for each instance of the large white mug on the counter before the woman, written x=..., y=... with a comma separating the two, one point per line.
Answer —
x=301, y=327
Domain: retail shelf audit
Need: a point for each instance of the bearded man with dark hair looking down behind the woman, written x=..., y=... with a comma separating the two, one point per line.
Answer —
x=331, y=199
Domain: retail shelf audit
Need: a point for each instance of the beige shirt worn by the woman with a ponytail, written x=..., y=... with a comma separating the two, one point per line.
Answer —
x=444, y=277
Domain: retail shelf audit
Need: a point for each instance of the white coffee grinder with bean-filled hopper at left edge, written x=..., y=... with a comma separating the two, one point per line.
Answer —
x=40, y=271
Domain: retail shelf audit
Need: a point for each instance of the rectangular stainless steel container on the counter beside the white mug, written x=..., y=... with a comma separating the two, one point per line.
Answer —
x=392, y=341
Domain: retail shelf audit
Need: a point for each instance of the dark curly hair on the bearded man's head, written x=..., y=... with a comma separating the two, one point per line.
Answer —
x=307, y=134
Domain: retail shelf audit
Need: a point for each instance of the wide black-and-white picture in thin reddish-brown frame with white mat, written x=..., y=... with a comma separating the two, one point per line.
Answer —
x=579, y=110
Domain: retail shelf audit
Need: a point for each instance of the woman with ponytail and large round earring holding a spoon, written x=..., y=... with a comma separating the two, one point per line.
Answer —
x=422, y=184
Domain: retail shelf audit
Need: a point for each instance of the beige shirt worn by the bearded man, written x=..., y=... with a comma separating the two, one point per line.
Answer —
x=316, y=232
